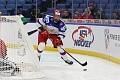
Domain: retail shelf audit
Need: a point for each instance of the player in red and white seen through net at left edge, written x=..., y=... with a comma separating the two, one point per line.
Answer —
x=6, y=66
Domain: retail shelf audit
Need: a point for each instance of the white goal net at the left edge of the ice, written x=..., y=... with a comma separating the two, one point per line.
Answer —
x=21, y=61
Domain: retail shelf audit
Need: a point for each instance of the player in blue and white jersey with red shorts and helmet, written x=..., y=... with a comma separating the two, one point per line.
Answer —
x=53, y=28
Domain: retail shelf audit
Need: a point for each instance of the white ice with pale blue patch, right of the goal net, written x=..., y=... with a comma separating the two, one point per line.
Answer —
x=97, y=68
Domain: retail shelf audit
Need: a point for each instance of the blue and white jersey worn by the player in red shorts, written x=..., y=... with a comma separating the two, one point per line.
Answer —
x=52, y=27
